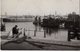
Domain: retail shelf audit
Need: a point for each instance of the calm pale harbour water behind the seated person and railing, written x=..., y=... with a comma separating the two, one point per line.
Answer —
x=37, y=32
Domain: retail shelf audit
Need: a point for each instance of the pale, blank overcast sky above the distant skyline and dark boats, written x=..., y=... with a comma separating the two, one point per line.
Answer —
x=39, y=7
